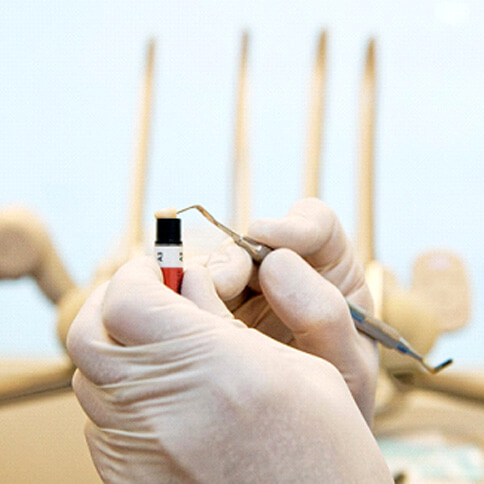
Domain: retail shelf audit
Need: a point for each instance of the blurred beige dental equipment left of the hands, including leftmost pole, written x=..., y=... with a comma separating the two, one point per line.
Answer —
x=42, y=422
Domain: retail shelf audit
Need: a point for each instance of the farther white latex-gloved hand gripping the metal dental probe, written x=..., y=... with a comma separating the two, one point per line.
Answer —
x=299, y=299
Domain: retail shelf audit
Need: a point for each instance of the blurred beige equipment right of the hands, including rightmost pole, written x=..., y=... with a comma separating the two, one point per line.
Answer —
x=418, y=412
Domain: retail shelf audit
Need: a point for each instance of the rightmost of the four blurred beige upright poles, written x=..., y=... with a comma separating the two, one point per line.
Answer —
x=365, y=220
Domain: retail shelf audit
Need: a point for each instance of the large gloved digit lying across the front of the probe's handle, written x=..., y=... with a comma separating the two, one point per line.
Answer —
x=312, y=308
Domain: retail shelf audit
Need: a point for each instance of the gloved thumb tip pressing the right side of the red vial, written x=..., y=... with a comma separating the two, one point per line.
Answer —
x=199, y=288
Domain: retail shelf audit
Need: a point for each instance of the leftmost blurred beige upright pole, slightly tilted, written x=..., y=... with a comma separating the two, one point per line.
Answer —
x=135, y=209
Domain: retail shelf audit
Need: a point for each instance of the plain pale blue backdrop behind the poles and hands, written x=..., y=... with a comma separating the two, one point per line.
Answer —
x=69, y=84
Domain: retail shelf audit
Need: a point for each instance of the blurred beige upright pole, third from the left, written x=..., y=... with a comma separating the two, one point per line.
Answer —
x=315, y=123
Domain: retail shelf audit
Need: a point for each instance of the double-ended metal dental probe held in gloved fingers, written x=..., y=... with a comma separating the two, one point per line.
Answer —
x=364, y=322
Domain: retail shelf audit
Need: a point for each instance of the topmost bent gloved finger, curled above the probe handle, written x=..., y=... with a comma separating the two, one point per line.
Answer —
x=313, y=231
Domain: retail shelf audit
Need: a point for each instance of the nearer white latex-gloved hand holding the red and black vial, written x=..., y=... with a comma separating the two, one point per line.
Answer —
x=177, y=391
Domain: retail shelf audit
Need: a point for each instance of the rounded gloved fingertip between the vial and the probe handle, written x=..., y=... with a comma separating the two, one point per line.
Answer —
x=230, y=268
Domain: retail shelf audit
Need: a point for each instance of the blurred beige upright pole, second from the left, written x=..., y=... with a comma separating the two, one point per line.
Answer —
x=241, y=189
